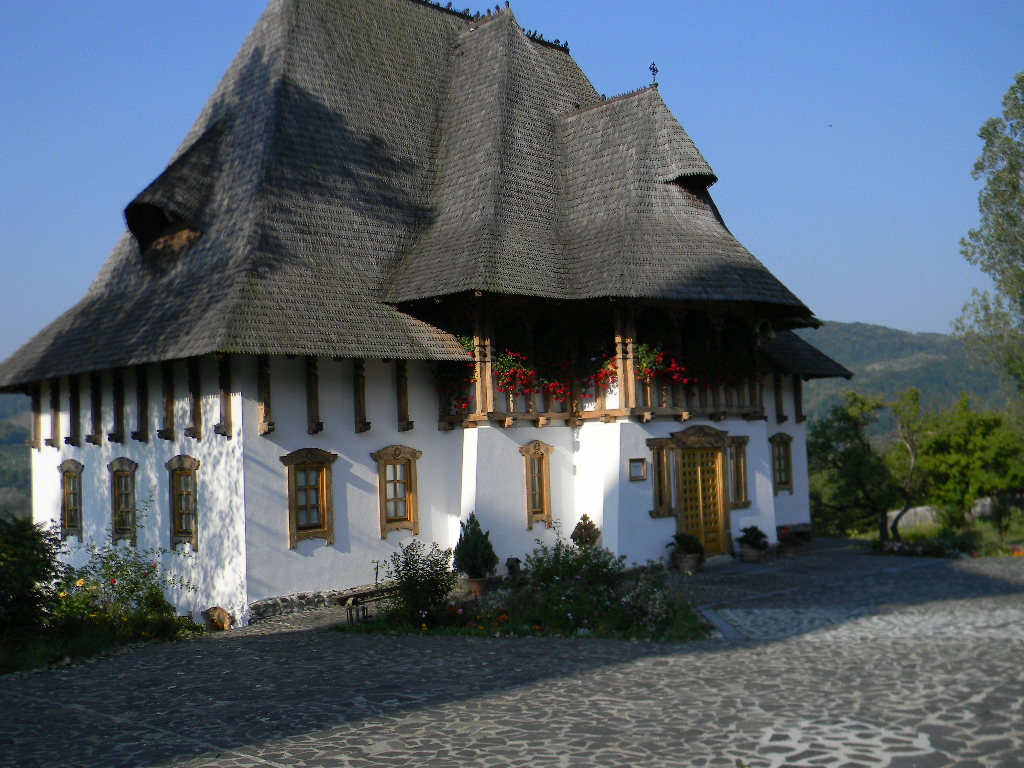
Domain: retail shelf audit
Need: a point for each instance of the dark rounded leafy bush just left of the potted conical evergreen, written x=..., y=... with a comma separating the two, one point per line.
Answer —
x=422, y=581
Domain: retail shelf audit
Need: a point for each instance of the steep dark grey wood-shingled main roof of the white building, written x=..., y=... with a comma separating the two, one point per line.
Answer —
x=359, y=155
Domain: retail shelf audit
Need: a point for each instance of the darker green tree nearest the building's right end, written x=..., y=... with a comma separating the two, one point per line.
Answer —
x=852, y=487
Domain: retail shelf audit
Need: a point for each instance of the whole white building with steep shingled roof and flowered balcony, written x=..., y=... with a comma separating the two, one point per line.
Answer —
x=409, y=265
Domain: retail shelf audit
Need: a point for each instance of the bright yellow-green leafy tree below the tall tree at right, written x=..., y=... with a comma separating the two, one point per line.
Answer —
x=968, y=456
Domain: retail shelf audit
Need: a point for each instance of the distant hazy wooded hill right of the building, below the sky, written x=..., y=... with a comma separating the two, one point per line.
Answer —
x=885, y=362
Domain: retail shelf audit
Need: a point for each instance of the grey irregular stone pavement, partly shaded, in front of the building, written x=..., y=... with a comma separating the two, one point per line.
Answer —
x=834, y=659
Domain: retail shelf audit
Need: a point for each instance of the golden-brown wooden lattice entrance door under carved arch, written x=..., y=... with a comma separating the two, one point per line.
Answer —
x=700, y=496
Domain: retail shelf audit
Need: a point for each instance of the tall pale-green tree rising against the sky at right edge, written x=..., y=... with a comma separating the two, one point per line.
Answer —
x=993, y=323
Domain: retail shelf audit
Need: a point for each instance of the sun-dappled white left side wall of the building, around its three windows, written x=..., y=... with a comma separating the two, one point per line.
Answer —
x=218, y=569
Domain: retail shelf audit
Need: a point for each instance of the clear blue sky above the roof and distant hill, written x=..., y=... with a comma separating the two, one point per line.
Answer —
x=843, y=135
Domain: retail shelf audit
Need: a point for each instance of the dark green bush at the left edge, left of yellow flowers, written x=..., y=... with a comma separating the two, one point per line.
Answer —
x=29, y=570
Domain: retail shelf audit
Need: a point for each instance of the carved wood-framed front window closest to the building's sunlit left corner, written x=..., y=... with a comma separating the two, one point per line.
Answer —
x=311, y=496
